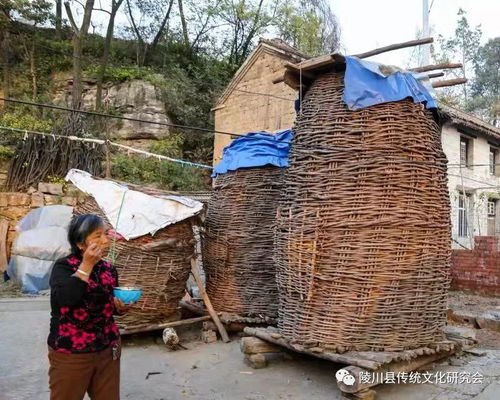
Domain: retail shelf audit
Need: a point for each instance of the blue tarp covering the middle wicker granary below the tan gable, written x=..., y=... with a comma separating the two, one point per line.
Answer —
x=256, y=149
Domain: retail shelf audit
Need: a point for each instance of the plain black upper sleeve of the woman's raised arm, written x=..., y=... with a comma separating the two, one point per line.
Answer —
x=67, y=289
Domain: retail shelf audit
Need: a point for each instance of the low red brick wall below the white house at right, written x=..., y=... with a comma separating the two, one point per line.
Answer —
x=477, y=270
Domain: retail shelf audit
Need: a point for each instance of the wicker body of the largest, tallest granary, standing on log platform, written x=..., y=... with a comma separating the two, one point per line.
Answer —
x=363, y=236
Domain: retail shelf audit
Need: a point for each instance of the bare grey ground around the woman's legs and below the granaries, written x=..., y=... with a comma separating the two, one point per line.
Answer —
x=216, y=371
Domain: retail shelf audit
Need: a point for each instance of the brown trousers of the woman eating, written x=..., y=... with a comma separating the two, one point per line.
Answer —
x=72, y=375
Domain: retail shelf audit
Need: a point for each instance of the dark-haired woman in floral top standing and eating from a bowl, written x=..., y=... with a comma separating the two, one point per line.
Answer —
x=84, y=342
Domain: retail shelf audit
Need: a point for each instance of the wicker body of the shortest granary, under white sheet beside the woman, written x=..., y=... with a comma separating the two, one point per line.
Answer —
x=159, y=264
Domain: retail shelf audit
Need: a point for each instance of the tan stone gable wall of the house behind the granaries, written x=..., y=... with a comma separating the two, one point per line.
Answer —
x=244, y=112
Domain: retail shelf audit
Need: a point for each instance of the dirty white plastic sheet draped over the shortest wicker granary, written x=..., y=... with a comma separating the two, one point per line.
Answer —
x=132, y=213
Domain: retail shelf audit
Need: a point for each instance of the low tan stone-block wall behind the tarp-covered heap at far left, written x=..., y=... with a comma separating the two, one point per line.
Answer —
x=14, y=206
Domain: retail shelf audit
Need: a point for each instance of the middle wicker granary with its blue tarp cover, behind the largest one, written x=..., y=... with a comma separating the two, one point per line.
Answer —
x=238, y=242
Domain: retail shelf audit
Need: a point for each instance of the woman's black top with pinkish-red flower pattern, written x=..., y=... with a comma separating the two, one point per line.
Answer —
x=82, y=313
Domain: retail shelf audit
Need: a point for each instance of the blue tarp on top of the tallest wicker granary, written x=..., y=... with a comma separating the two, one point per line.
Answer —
x=366, y=85
